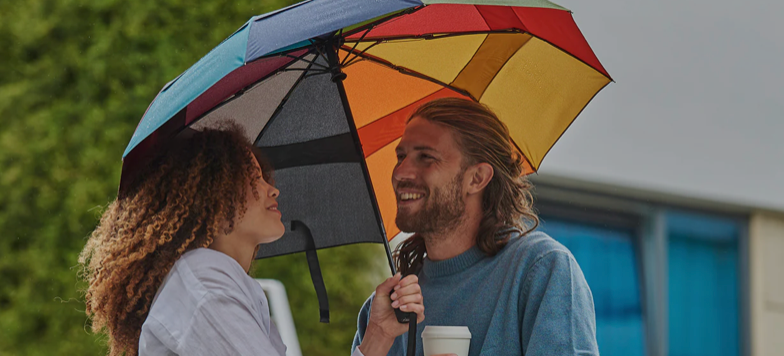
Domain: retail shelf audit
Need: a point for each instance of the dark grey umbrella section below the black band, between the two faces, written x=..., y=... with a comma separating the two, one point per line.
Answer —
x=332, y=200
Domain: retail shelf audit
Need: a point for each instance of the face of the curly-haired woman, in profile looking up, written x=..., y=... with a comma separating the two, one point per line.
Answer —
x=262, y=219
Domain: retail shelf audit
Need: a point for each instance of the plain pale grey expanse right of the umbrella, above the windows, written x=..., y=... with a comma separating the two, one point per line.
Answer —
x=697, y=109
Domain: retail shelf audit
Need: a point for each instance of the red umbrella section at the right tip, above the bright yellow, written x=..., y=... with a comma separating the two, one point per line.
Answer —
x=558, y=28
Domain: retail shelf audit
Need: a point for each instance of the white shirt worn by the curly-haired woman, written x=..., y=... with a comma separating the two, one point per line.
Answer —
x=208, y=305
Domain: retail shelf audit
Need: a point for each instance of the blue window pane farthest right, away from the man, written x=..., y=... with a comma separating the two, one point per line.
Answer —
x=703, y=286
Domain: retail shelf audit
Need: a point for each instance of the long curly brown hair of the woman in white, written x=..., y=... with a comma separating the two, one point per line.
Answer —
x=180, y=201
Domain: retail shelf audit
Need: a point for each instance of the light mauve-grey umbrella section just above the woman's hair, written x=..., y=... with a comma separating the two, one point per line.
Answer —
x=253, y=109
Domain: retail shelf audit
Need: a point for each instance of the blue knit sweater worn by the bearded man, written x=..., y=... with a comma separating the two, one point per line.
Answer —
x=530, y=299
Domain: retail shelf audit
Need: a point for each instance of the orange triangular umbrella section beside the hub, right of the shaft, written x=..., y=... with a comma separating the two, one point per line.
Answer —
x=375, y=91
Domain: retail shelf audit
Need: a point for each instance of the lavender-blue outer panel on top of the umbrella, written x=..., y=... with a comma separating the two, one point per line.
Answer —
x=310, y=19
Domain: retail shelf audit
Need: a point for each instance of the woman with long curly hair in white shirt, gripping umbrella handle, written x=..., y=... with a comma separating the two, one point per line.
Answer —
x=167, y=265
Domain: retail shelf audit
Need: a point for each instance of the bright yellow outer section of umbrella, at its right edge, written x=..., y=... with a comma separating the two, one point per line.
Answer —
x=538, y=93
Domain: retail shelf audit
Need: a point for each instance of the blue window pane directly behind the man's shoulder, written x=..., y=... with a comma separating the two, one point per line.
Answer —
x=608, y=261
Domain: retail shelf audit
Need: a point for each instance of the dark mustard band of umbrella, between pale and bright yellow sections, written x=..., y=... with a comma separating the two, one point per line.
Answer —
x=489, y=59
